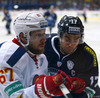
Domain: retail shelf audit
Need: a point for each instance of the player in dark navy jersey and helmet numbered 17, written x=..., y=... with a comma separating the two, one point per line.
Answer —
x=68, y=52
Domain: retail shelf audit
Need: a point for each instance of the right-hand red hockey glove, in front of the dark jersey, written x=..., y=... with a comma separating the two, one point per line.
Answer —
x=78, y=85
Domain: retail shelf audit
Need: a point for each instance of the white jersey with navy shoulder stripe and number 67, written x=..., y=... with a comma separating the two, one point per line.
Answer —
x=17, y=70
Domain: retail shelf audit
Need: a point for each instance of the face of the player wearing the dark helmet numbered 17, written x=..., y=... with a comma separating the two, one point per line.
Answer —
x=68, y=43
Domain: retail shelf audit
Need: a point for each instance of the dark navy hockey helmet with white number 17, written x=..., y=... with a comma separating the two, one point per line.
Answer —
x=71, y=25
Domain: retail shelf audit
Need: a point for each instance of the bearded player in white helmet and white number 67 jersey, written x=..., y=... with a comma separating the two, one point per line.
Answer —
x=23, y=67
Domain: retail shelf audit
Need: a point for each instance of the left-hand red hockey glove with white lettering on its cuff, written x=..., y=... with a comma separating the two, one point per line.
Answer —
x=47, y=86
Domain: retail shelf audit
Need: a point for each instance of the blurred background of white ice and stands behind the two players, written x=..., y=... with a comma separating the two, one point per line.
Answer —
x=87, y=10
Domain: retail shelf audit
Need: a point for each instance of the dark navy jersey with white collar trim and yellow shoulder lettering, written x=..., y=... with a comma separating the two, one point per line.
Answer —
x=81, y=63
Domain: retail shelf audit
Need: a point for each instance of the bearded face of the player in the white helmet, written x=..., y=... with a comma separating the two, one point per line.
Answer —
x=37, y=41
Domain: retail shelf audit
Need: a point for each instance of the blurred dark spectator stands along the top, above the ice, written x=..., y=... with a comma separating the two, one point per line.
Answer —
x=45, y=4
